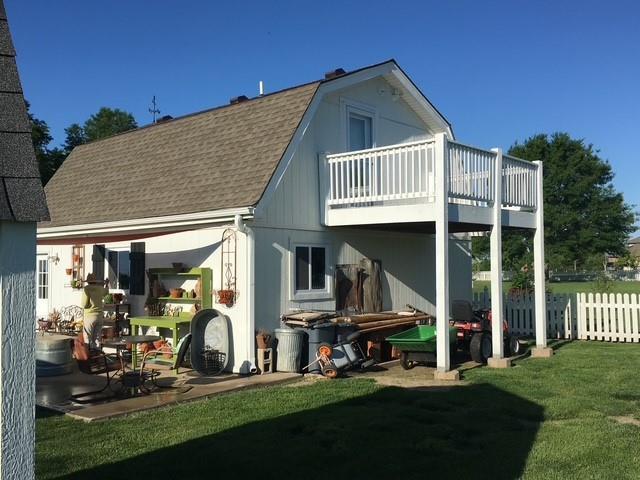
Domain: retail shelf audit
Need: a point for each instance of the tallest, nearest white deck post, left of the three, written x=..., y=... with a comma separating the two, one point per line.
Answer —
x=442, y=253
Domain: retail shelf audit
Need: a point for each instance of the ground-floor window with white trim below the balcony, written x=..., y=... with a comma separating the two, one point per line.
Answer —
x=311, y=277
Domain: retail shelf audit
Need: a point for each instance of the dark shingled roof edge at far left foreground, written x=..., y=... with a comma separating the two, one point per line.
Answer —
x=21, y=194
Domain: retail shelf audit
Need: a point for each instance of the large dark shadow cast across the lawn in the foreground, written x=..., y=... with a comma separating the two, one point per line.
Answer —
x=475, y=431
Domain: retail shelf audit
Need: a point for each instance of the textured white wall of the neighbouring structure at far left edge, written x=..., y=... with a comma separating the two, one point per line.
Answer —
x=17, y=375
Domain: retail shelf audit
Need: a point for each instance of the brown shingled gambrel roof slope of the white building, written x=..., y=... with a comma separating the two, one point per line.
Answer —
x=216, y=159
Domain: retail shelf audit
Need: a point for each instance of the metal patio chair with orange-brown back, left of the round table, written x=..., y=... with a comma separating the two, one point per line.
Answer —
x=94, y=362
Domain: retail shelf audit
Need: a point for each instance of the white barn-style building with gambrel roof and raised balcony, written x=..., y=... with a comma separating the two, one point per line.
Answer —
x=356, y=165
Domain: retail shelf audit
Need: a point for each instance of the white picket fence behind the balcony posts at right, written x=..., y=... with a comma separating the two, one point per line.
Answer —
x=585, y=316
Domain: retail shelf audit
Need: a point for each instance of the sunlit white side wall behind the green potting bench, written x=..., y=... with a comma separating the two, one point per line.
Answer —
x=196, y=248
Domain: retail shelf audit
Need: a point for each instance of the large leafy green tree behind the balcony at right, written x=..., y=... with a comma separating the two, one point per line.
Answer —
x=585, y=218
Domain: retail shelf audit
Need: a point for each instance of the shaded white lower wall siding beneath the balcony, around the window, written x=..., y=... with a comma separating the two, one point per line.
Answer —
x=407, y=263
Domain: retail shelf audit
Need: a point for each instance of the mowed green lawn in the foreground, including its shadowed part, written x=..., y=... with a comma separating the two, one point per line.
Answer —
x=538, y=420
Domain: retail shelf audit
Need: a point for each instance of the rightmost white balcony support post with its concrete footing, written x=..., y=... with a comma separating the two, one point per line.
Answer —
x=541, y=349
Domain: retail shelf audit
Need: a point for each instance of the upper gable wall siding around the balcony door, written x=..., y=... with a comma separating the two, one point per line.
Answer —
x=296, y=202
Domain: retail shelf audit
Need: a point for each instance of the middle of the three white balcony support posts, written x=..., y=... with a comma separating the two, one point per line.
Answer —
x=497, y=310
